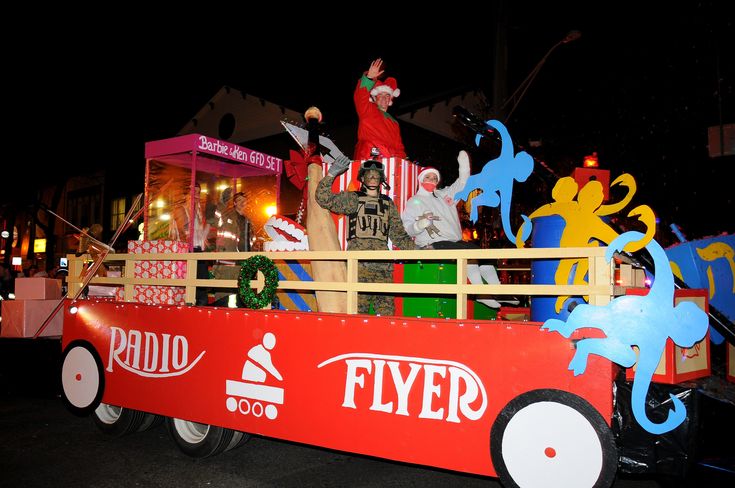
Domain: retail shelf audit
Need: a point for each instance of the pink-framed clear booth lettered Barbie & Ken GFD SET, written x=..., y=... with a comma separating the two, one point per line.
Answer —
x=176, y=166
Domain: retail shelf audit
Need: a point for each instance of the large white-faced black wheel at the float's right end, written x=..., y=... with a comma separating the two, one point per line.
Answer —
x=552, y=438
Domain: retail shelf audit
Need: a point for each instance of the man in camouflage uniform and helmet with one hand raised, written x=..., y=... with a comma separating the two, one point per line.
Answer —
x=372, y=220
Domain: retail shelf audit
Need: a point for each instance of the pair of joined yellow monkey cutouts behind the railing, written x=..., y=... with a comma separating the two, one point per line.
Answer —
x=583, y=225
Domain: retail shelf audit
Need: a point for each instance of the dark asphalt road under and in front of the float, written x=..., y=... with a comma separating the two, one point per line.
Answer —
x=42, y=445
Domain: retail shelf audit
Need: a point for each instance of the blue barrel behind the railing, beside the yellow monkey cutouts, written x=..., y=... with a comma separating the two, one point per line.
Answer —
x=547, y=232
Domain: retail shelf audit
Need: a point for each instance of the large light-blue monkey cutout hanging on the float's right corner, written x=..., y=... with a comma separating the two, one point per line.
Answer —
x=644, y=321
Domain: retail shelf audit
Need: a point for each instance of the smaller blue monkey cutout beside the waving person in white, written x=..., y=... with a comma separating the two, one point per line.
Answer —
x=496, y=181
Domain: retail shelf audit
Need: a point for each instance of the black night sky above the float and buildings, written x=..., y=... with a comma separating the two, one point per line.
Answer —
x=639, y=87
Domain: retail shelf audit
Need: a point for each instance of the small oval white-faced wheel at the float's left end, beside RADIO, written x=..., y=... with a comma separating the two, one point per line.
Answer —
x=82, y=378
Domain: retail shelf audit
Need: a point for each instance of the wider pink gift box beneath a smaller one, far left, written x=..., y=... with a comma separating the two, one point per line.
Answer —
x=23, y=318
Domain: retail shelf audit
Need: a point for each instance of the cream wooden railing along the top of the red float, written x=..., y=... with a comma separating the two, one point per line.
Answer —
x=600, y=288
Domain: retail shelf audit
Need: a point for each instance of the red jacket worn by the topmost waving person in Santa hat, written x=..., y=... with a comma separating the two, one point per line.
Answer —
x=377, y=128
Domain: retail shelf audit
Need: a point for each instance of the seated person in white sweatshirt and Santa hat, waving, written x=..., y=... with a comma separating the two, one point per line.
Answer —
x=431, y=218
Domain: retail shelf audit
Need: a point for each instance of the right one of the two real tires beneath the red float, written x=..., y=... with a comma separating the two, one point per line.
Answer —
x=200, y=440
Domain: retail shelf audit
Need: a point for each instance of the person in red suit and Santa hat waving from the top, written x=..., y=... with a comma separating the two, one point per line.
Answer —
x=377, y=128
